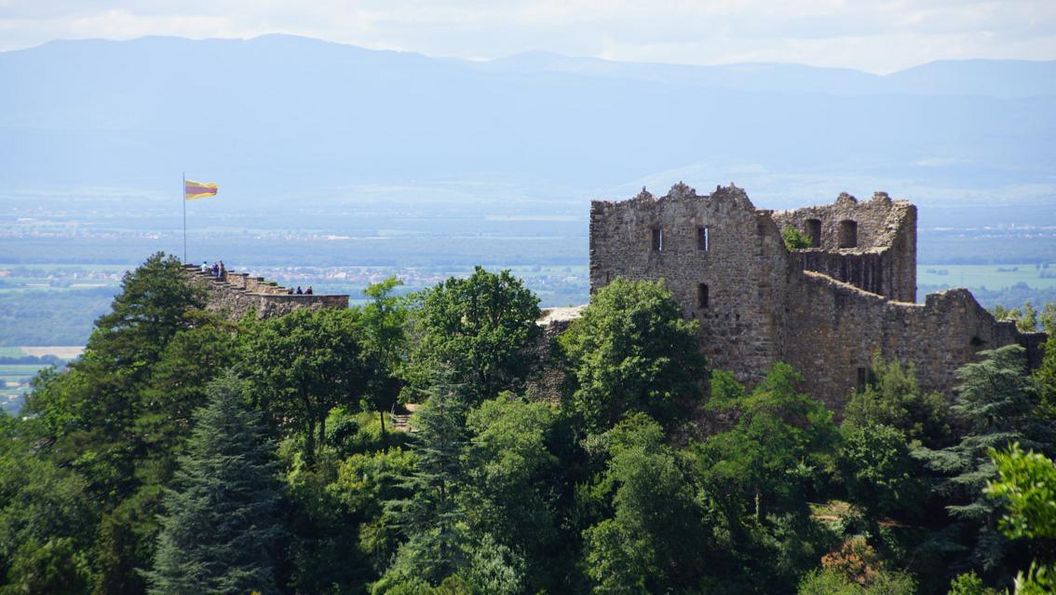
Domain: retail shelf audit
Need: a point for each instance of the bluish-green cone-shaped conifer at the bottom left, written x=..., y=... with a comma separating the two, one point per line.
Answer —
x=221, y=526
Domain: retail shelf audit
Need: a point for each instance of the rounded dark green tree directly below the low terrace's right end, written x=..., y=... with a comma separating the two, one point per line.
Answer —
x=305, y=364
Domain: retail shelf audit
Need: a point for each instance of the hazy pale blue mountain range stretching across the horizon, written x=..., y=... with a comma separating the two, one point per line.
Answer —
x=280, y=115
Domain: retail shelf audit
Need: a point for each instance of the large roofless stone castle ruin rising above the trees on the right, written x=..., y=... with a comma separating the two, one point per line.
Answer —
x=825, y=310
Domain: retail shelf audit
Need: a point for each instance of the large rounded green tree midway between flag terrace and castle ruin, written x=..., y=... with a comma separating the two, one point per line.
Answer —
x=479, y=331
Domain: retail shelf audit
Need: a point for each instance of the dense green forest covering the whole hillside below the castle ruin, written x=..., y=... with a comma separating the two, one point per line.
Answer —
x=190, y=453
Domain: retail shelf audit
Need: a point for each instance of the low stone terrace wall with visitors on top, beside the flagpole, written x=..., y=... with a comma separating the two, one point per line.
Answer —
x=240, y=293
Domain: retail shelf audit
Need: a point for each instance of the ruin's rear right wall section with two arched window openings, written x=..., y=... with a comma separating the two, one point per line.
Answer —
x=883, y=262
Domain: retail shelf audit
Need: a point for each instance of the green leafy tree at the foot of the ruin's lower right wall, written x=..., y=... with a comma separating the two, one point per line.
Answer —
x=897, y=401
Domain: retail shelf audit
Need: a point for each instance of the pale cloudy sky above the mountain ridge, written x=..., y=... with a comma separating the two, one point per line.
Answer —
x=879, y=36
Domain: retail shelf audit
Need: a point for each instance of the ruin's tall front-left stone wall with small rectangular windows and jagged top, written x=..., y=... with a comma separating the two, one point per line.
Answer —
x=745, y=267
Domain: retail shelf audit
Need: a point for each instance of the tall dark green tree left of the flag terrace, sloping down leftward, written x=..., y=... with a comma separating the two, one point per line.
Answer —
x=90, y=411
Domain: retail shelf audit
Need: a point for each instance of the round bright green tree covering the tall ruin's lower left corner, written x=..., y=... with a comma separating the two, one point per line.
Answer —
x=632, y=351
